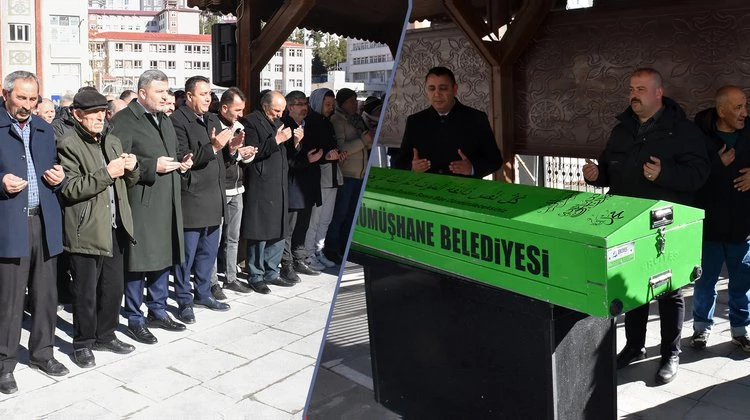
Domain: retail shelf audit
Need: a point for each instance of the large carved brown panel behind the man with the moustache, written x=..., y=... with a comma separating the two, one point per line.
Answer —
x=573, y=79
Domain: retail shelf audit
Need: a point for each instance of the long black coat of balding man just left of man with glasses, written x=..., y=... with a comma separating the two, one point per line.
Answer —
x=264, y=216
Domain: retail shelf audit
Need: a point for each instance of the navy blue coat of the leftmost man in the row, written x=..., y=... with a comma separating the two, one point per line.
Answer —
x=14, y=226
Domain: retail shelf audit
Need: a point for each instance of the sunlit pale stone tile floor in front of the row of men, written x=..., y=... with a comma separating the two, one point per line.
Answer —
x=255, y=361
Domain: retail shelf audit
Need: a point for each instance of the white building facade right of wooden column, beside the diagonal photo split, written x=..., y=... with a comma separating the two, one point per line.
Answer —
x=370, y=63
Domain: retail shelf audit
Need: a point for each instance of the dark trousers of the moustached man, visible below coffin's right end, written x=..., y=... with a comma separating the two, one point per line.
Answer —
x=671, y=316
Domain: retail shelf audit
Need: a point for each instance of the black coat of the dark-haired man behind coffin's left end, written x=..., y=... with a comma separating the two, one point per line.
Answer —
x=438, y=139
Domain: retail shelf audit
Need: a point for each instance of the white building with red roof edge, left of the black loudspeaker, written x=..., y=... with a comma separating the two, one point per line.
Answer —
x=119, y=58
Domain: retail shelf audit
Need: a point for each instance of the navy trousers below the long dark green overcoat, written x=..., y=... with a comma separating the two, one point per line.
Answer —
x=156, y=284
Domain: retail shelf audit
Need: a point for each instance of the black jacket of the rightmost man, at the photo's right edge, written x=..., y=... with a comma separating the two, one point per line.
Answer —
x=727, y=210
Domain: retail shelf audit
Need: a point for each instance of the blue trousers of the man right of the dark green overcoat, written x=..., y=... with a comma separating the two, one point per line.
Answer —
x=201, y=248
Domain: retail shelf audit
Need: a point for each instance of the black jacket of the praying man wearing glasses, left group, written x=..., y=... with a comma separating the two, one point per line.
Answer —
x=304, y=177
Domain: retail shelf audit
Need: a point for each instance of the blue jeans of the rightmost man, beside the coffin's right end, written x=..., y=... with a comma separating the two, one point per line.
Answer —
x=737, y=258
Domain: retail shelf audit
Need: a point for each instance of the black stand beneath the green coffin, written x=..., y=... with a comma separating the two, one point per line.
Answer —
x=445, y=347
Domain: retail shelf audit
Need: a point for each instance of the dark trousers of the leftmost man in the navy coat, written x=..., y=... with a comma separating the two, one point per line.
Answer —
x=38, y=273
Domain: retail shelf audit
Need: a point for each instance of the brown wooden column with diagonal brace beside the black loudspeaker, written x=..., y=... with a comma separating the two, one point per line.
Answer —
x=257, y=46
